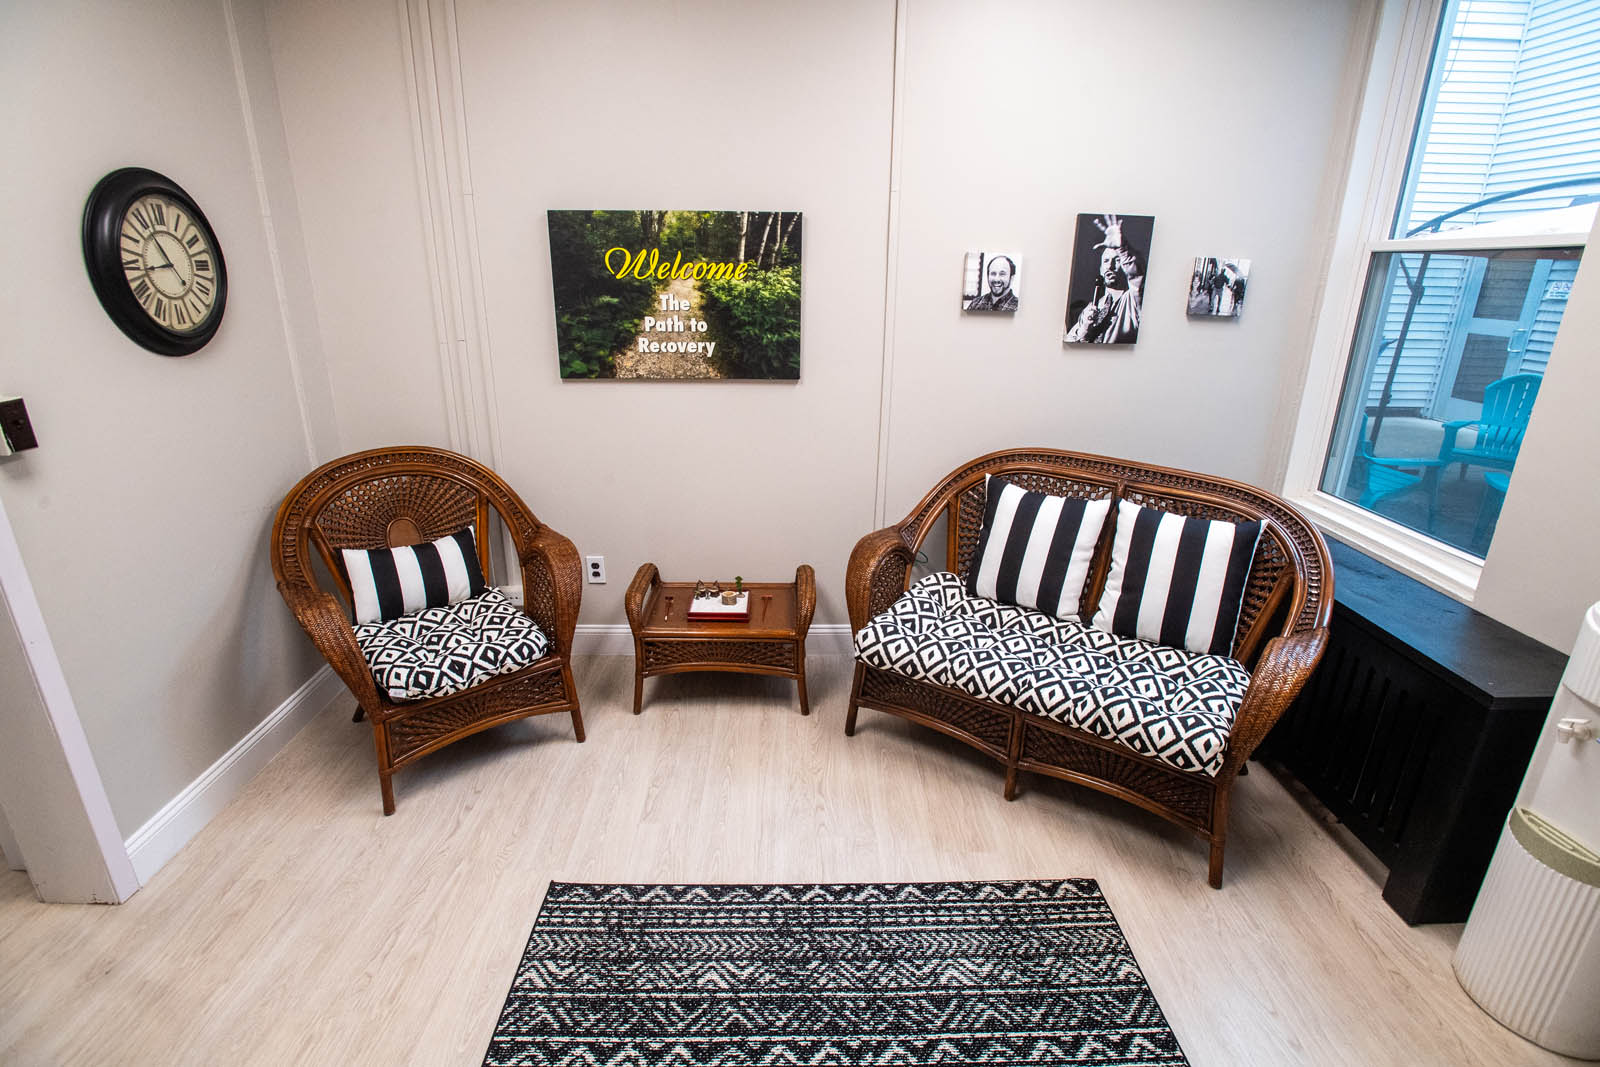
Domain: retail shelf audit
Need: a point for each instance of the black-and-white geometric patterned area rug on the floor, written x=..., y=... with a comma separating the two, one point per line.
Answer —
x=927, y=973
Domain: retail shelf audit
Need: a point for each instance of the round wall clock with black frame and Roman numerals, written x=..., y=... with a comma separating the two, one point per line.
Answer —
x=154, y=262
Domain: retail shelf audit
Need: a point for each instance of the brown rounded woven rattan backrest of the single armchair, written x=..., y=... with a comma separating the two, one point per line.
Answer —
x=386, y=498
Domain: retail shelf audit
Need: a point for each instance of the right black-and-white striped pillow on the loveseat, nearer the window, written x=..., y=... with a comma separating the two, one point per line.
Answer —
x=1177, y=581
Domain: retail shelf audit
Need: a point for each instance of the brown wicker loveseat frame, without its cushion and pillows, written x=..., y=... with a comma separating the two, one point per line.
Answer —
x=1281, y=634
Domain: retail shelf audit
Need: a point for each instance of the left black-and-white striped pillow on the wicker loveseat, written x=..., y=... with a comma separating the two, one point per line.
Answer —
x=1034, y=549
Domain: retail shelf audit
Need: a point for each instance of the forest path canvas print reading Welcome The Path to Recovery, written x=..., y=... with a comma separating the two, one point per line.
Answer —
x=678, y=295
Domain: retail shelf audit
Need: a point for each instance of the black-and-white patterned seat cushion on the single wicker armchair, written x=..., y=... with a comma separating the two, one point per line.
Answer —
x=444, y=650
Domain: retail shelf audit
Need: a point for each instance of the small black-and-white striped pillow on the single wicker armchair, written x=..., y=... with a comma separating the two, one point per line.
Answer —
x=391, y=583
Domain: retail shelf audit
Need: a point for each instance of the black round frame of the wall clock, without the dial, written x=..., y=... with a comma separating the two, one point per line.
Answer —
x=103, y=217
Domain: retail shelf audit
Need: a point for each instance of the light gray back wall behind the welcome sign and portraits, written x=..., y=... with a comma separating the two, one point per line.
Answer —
x=1012, y=122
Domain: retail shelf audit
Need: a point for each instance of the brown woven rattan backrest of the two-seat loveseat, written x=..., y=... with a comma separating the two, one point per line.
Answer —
x=1290, y=581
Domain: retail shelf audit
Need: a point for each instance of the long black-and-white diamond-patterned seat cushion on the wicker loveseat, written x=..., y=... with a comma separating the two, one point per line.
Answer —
x=1166, y=703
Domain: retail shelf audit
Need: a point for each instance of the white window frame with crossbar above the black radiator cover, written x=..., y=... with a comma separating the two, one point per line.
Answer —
x=1404, y=42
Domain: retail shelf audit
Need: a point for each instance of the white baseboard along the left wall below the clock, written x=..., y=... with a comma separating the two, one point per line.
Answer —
x=186, y=815
